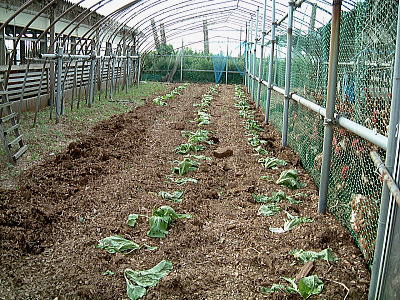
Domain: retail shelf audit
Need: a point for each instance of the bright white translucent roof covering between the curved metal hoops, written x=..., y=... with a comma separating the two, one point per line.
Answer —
x=183, y=19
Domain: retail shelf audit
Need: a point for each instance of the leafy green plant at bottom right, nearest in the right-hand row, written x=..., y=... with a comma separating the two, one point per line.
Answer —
x=306, y=287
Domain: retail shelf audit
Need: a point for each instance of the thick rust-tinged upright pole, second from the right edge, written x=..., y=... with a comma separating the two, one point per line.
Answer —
x=329, y=121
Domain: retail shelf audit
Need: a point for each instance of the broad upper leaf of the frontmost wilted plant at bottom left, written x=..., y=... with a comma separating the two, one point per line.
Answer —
x=150, y=277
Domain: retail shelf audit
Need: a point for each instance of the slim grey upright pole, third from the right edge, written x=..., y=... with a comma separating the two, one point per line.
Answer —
x=288, y=73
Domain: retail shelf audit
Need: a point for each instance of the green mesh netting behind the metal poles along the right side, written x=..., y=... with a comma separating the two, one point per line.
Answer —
x=368, y=34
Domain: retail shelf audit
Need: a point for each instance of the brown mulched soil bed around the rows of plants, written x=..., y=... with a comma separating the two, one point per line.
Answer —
x=50, y=226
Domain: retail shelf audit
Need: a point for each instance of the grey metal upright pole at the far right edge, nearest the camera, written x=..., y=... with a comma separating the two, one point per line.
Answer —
x=379, y=262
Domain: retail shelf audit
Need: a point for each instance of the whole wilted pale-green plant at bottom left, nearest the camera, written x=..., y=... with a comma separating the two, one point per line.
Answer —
x=138, y=281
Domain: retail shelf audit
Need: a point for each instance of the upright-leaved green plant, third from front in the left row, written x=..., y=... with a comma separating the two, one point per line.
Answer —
x=161, y=220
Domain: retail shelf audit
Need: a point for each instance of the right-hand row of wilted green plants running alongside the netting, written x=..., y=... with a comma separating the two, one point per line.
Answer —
x=305, y=286
